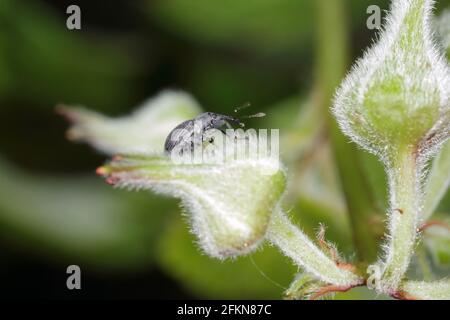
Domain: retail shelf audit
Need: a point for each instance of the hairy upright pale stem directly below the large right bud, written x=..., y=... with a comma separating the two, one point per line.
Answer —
x=405, y=202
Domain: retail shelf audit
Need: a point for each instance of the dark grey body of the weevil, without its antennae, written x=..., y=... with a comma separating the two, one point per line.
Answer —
x=184, y=134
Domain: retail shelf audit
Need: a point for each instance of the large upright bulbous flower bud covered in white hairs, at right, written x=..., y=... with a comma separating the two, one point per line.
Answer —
x=398, y=95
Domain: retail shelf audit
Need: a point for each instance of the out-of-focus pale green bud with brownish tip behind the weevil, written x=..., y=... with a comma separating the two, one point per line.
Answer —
x=144, y=131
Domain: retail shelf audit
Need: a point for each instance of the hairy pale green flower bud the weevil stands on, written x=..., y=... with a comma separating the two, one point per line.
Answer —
x=229, y=204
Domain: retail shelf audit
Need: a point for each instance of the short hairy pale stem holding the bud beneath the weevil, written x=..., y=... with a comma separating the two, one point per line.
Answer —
x=296, y=245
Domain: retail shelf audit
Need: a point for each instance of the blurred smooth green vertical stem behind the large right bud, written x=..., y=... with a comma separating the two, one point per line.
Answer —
x=332, y=63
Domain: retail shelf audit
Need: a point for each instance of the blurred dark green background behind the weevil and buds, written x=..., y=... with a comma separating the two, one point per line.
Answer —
x=55, y=212
